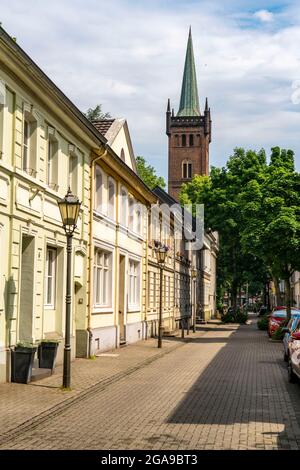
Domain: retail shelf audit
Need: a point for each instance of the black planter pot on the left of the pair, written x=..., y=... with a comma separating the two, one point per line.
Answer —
x=21, y=364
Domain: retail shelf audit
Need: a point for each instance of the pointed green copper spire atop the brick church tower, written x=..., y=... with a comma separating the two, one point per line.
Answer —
x=189, y=100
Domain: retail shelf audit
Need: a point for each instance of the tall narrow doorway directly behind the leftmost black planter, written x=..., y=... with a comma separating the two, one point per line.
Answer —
x=26, y=290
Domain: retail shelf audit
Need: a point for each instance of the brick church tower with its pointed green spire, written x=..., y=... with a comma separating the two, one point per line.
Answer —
x=189, y=132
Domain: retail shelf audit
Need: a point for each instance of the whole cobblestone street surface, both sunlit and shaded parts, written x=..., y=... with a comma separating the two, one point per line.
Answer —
x=226, y=389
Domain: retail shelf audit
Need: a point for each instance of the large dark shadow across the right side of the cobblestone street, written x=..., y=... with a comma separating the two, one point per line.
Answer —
x=245, y=382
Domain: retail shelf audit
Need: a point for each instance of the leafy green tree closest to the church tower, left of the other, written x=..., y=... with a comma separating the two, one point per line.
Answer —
x=220, y=194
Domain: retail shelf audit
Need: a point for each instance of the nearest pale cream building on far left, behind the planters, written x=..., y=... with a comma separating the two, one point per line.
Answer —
x=45, y=147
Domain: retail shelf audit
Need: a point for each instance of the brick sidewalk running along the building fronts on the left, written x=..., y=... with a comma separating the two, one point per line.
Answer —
x=20, y=403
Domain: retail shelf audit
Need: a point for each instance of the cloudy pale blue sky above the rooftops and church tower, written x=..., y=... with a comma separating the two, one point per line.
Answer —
x=129, y=56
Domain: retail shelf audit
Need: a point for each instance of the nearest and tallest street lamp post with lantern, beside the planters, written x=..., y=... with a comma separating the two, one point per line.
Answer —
x=69, y=210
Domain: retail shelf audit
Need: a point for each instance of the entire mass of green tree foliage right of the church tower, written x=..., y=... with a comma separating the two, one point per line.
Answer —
x=254, y=205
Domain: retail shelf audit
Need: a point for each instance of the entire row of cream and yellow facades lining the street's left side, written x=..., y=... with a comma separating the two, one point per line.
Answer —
x=46, y=146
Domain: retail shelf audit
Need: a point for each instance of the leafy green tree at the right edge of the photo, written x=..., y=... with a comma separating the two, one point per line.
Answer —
x=271, y=218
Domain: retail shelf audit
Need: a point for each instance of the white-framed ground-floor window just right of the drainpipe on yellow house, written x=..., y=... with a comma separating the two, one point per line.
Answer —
x=102, y=278
